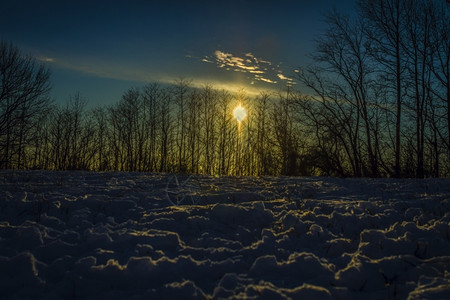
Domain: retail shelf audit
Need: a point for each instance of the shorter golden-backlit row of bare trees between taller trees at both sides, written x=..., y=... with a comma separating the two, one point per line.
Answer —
x=158, y=128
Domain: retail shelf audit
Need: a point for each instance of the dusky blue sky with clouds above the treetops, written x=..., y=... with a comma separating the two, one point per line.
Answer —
x=100, y=49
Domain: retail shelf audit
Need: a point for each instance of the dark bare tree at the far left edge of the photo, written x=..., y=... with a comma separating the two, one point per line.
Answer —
x=24, y=86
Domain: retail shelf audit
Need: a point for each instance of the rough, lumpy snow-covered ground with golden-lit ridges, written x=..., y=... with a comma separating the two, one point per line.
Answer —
x=116, y=235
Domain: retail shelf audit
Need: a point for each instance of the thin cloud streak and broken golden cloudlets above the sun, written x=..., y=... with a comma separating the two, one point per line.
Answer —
x=254, y=68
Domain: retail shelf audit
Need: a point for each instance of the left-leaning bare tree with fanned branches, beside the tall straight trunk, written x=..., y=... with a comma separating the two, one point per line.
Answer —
x=342, y=83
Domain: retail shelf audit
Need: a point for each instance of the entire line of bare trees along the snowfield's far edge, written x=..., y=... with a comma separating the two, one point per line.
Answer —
x=374, y=103
